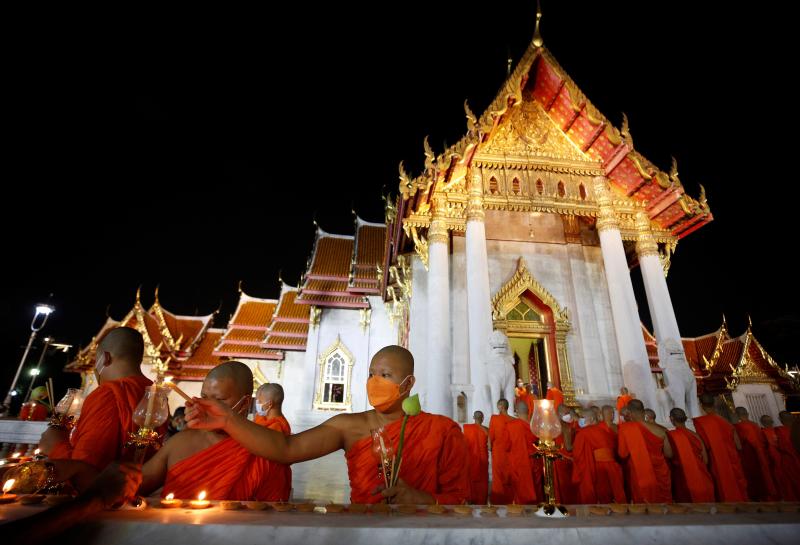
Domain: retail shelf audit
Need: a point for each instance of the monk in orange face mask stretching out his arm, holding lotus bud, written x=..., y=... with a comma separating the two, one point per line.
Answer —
x=434, y=462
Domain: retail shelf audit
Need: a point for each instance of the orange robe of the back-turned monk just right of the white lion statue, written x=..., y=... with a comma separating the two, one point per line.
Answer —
x=726, y=466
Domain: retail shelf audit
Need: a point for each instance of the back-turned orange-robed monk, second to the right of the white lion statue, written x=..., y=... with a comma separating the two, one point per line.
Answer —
x=755, y=458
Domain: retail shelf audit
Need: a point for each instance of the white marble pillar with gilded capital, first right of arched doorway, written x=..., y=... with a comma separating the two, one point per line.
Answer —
x=636, y=372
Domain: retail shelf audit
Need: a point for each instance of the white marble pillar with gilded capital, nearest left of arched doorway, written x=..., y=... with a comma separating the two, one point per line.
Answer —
x=479, y=310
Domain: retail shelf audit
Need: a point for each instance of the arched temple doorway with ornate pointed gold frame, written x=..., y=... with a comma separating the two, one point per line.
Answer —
x=536, y=327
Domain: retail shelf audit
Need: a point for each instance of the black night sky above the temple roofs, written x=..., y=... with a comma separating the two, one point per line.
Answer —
x=192, y=149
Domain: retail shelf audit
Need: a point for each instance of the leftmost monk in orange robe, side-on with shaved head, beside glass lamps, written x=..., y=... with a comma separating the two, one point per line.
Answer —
x=107, y=414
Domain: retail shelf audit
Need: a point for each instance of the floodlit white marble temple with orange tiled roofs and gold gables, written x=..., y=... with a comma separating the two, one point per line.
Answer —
x=531, y=224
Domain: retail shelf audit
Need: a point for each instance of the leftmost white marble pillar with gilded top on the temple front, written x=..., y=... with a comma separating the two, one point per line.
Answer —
x=439, y=359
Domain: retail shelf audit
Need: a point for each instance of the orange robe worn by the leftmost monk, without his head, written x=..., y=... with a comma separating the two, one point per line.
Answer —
x=105, y=421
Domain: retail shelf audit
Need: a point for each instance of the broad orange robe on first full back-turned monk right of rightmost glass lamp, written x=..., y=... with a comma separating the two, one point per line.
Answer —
x=595, y=470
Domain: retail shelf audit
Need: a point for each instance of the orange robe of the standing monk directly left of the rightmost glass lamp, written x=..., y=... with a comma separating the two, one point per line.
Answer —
x=526, y=473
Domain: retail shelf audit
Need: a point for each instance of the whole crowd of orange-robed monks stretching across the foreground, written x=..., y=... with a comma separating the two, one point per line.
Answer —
x=607, y=454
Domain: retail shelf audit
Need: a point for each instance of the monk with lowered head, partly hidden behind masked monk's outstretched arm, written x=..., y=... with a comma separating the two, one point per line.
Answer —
x=193, y=461
